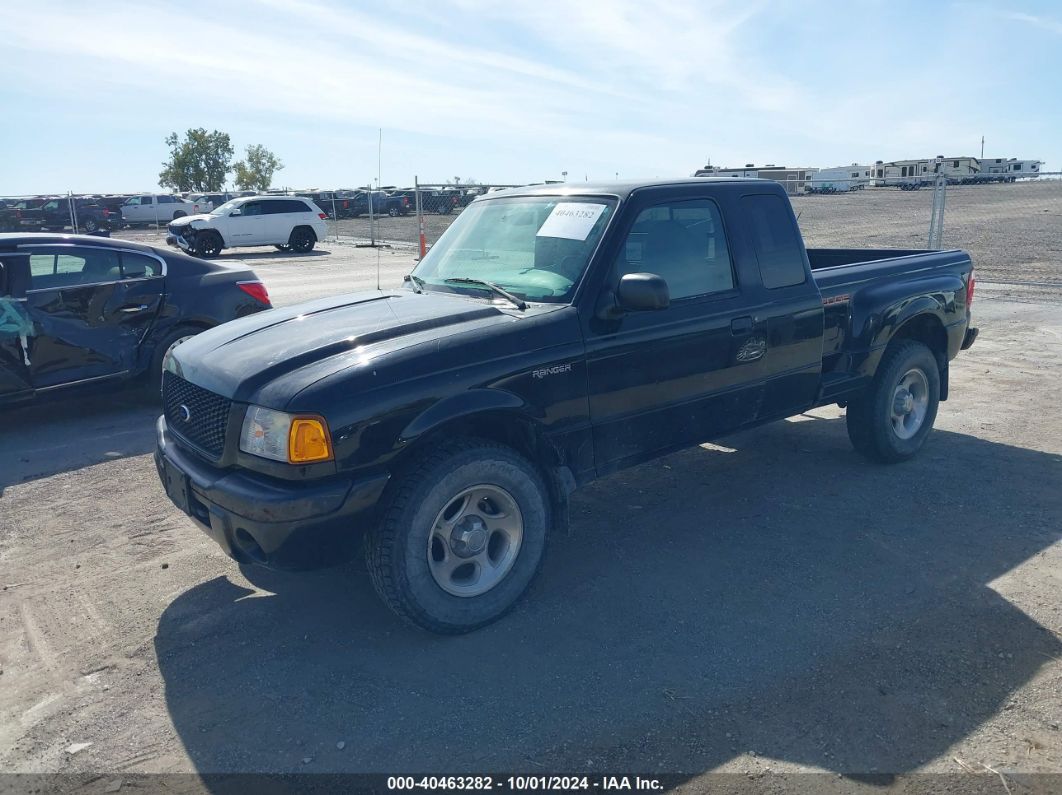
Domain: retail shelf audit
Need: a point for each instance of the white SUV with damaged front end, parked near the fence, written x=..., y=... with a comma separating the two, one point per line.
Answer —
x=289, y=223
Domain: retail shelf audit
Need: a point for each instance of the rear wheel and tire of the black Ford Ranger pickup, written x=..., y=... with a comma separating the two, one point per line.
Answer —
x=890, y=423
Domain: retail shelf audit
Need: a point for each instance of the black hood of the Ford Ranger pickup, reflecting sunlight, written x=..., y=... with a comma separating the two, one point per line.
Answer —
x=269, y=357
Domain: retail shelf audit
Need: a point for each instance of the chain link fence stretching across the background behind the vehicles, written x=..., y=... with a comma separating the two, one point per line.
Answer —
x=1014, y=230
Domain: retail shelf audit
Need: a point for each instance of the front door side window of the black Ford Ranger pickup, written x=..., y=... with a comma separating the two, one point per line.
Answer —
x=684, y=244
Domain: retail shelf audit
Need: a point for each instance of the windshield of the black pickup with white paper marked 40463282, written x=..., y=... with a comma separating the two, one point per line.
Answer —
x=536, y=248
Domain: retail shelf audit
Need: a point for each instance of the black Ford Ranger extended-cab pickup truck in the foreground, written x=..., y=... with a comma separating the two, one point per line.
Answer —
x=554, y=335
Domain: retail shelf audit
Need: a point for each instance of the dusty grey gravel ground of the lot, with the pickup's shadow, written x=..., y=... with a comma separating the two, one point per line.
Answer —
x=765, y=606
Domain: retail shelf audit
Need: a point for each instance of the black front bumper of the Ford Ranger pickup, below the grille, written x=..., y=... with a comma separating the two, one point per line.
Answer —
x=283, y=525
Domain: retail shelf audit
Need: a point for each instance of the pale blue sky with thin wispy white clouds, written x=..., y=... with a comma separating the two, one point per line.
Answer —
x=508, y=92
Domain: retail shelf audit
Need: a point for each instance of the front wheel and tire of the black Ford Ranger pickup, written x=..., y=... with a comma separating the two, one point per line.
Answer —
x=418, y=566
